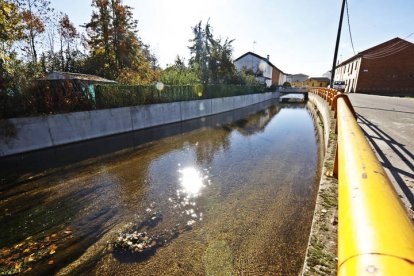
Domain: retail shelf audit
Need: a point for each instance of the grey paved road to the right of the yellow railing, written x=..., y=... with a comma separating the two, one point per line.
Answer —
x=388, y=123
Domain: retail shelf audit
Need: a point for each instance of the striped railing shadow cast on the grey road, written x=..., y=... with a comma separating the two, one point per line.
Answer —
x=398, y=148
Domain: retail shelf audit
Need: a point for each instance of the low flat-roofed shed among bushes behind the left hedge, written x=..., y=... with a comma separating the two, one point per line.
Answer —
x=75, y=82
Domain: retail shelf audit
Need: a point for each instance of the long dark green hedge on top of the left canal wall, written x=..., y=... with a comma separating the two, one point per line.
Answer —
x=51, y=97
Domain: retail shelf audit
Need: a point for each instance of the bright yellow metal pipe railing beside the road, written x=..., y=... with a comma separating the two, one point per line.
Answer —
x=375, y=234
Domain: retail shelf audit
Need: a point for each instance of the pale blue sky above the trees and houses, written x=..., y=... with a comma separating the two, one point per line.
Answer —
x=299, y=35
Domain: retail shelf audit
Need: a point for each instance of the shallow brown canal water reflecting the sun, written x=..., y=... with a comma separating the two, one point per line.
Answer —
x=222, y=195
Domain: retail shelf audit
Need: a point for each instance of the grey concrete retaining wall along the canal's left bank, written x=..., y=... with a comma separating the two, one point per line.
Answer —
x=18, y=135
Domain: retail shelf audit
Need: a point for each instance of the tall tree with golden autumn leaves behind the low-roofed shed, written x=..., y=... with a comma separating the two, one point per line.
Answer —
x=116, y=50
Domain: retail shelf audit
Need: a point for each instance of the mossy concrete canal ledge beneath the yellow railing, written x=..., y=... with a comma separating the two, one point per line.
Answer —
x=321, y=252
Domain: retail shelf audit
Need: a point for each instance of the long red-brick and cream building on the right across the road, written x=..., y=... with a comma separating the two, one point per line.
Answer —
x=387, y=68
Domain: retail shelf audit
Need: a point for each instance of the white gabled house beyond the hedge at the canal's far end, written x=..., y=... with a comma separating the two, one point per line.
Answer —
x=261, y=67
